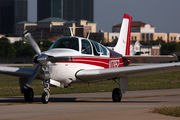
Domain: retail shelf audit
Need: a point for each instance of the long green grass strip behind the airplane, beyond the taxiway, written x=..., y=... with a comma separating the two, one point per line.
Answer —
x=9, y=85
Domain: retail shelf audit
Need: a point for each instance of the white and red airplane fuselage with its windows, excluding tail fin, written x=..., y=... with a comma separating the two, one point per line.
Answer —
x=80, y=54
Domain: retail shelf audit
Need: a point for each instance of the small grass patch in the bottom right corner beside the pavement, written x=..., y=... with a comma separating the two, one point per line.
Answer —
x=170, y=111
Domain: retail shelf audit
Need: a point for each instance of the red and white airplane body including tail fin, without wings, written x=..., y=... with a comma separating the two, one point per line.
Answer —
x=83, y=54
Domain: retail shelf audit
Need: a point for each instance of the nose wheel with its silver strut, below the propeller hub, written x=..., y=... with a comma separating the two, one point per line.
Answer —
x=46, y=94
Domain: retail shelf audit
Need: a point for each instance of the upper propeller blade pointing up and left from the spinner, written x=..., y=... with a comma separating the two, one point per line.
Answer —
x=32, y=42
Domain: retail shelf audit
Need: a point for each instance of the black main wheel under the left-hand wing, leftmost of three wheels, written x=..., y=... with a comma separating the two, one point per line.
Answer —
x=28, y=95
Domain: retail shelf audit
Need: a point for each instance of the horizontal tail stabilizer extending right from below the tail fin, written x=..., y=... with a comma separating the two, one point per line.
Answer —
x=140, y=59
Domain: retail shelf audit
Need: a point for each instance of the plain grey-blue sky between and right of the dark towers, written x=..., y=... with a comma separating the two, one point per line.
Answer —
x=164, y=15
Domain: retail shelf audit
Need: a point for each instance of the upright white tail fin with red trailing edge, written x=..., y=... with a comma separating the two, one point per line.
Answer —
x=123, y=43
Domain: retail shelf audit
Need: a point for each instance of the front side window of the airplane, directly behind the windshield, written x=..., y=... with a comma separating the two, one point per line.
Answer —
x=86, y=47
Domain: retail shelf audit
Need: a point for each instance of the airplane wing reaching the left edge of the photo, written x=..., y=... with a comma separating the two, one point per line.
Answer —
x=14, y=71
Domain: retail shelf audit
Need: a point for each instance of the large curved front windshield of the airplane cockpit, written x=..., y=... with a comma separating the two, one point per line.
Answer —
x=66, y=42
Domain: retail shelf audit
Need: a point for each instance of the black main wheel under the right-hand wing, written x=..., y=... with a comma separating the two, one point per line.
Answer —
x=116, y=95
